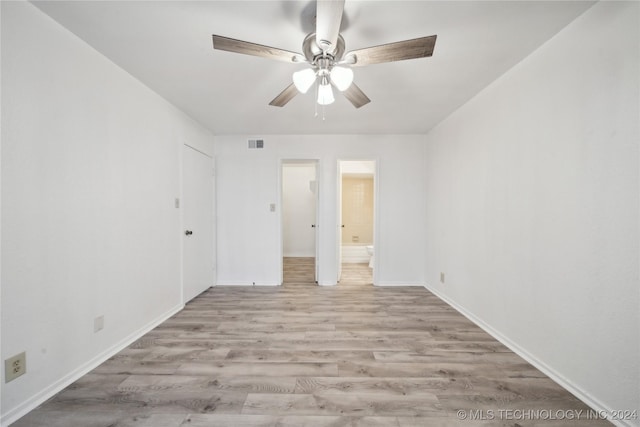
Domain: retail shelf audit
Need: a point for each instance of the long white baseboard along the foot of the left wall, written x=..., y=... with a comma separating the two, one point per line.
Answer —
x=36, y=400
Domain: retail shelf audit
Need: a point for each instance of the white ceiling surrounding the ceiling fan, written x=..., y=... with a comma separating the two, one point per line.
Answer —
x=167, y=45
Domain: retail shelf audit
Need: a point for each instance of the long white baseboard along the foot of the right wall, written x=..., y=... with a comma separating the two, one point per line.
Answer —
x=581, y=394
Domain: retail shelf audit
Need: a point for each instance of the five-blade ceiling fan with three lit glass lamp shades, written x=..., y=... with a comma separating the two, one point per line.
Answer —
x=324, y=52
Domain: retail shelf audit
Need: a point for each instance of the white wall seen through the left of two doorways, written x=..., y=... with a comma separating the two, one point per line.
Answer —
x=298, y=210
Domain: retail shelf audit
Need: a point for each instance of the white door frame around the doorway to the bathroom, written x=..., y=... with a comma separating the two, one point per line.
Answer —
x=376, y=214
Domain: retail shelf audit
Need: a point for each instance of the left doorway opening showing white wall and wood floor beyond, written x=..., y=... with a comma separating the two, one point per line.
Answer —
x=299, y=201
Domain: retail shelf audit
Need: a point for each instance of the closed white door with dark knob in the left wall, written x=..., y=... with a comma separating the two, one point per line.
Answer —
x=197, y=220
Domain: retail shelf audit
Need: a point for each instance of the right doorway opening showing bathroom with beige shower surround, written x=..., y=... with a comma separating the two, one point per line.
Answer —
x=357, y=222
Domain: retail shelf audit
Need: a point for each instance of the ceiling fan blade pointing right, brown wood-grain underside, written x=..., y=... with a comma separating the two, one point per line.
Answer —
x=408, y=49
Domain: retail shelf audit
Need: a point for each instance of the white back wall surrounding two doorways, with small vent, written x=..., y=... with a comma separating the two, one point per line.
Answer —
x=247, y=182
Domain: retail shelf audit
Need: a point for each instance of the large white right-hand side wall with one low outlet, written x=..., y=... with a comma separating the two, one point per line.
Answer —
x=532, y=207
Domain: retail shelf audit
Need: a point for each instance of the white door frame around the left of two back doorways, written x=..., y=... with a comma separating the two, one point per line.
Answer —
x=316, y=163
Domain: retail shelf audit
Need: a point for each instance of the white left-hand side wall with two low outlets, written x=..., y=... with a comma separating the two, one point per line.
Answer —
x=90, y=170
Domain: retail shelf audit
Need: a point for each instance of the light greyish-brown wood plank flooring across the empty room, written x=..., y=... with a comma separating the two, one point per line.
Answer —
x=303, y=355
